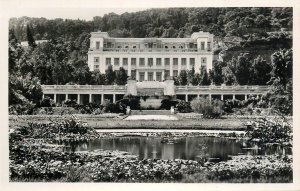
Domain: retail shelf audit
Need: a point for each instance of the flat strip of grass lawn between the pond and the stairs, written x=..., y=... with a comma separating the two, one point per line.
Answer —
x=114, y=121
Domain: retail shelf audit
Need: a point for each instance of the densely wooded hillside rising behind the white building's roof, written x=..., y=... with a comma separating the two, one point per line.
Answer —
x=172, y=22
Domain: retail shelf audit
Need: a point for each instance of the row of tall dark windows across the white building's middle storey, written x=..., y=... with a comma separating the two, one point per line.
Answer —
x=108, y=61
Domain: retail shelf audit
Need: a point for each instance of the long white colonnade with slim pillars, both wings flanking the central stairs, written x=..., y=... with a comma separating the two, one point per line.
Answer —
x=84, y=94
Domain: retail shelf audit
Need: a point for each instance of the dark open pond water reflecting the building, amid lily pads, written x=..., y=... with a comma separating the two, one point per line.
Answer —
x=189, y=148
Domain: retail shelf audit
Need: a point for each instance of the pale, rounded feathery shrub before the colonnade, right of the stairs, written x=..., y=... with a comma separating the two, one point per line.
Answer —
x=209, y=109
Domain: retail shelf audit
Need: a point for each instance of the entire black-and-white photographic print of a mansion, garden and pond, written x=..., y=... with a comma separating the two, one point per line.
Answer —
x=151, y=94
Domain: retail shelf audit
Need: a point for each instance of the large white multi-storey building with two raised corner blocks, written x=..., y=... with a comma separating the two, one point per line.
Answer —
x=150, y=59
